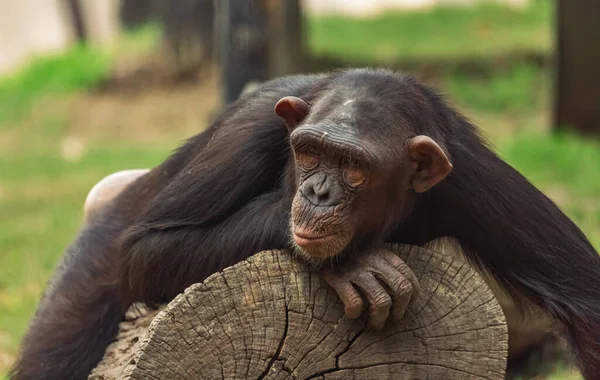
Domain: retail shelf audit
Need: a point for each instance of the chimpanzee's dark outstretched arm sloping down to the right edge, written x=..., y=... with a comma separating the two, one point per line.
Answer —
x=518, y=235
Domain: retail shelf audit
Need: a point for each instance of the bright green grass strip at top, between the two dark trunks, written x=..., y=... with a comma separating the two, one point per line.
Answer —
x=444, y=32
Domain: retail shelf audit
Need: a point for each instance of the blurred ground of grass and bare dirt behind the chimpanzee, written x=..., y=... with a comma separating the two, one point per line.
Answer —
x=60, y=134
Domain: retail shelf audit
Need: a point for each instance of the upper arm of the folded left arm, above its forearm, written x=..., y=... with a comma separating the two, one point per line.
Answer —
x=236, y=165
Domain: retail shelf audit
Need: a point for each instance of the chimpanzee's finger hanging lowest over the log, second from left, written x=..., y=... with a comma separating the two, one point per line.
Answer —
x=378, y=297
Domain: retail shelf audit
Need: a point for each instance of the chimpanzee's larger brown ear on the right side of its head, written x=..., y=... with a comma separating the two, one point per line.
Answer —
x=430, y=163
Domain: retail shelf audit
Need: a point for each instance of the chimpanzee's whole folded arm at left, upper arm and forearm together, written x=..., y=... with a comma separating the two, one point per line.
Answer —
x=220, y=207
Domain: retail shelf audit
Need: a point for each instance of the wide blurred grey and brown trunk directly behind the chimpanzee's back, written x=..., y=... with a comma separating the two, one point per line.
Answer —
x=258, y=40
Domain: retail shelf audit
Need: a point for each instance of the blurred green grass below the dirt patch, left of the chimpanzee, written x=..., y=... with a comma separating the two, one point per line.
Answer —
x=41, y=202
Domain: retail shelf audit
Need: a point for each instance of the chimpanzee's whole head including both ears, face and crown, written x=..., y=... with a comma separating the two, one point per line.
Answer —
x=360, y=161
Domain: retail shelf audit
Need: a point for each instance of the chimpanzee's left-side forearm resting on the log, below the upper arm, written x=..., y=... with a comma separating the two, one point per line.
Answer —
x=160, y=262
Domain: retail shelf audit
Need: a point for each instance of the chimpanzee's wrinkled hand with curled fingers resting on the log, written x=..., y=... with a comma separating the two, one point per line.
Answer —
x=366, y=272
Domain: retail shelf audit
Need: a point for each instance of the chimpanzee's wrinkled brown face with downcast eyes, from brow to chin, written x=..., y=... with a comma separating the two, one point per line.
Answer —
x=331, y=178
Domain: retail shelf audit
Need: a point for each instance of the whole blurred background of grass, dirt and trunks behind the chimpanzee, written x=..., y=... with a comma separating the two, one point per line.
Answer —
x=90, y=87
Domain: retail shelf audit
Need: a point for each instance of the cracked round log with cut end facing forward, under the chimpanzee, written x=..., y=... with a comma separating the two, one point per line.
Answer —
x=272, y=317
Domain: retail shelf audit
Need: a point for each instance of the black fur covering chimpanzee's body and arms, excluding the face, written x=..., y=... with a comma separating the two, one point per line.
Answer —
x=226, y=194
